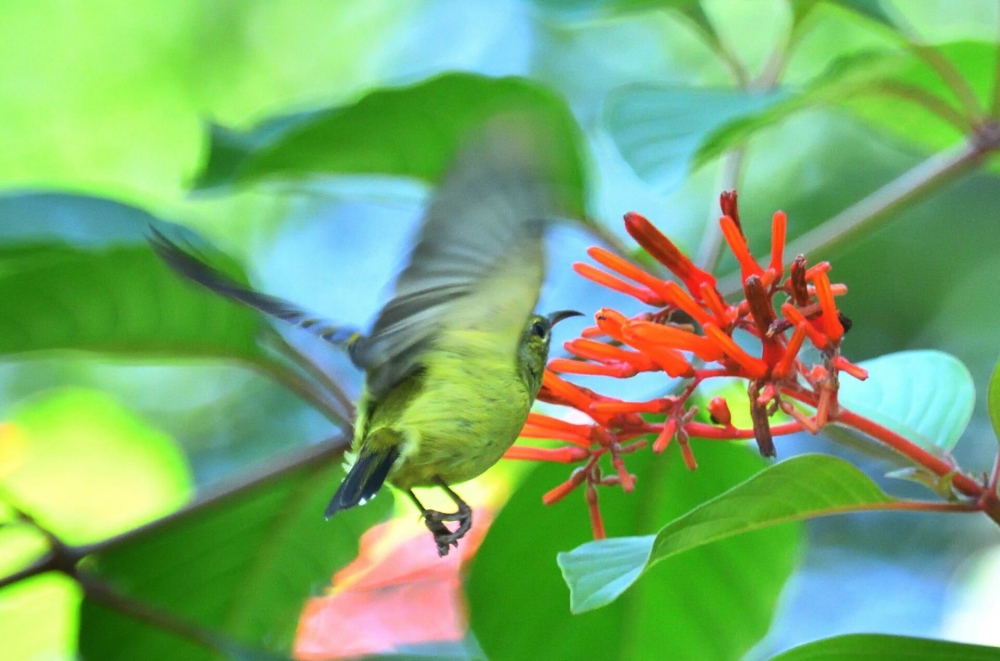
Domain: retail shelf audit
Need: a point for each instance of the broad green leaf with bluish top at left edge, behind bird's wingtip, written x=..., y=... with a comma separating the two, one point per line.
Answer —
x=77, y=273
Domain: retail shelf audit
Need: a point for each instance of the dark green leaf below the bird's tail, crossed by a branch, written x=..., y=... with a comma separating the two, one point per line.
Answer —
x=242, y=565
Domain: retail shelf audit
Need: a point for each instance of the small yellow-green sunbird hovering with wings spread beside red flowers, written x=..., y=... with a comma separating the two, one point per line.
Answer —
x=455, y=358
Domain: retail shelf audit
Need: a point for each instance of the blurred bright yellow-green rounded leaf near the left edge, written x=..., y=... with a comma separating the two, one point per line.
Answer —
x=89, y=469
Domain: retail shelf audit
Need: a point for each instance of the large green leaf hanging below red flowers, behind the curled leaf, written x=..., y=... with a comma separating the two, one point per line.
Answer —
x=712, y=603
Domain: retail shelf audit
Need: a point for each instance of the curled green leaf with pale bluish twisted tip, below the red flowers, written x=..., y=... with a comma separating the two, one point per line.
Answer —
x=799, y=488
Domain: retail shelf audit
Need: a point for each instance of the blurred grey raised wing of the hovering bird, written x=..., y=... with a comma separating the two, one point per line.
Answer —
x=479, y=260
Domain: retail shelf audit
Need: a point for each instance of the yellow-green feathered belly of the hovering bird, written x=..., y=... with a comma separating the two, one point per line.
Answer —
x=458, y=433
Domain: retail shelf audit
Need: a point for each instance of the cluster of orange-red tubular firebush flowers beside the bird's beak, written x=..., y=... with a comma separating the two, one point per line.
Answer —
x=689, y=334
